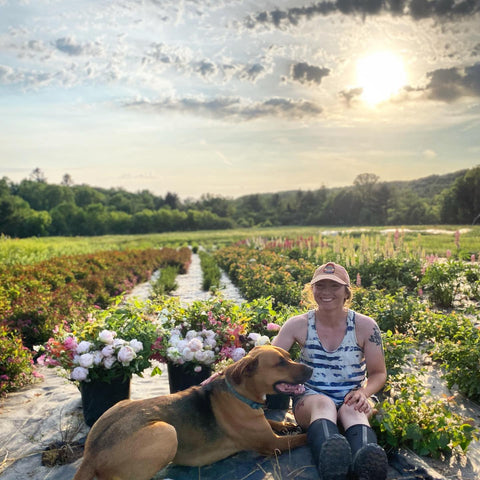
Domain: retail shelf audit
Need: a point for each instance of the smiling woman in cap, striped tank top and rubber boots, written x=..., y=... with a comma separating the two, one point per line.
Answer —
x=342, y=346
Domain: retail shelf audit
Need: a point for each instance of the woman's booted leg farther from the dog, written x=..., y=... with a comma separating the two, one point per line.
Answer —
x=369, y=459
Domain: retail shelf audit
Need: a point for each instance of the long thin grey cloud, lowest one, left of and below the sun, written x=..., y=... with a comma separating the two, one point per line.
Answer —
x=230, y=108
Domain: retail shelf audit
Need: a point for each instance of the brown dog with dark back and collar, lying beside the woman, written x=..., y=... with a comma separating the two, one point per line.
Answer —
x=135, y=439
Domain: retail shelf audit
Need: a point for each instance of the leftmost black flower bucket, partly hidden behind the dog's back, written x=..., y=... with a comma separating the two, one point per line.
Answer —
x=98, y=397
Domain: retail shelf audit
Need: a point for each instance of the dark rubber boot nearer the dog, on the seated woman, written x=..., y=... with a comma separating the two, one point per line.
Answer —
x=330, y=450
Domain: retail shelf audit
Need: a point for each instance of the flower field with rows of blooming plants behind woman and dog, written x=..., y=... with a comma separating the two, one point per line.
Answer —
x=423, y=289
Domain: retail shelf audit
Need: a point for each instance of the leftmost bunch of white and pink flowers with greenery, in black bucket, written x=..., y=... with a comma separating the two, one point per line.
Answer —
x=110, y=344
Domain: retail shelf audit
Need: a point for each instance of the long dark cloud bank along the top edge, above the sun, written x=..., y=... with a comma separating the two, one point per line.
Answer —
x=418, y=9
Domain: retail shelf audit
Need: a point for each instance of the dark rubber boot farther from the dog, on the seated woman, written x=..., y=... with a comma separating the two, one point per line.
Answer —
x=369, y=459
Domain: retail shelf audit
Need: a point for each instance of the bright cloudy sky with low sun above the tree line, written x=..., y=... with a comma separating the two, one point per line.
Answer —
x=232, y=97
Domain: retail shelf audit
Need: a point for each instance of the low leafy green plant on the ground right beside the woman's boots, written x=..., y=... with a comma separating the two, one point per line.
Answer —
x=410, y=417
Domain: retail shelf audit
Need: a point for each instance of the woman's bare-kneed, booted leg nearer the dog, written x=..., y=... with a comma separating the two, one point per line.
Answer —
x=330, y=450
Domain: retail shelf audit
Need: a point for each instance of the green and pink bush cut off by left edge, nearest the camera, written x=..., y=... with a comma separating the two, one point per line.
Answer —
x=16, y=365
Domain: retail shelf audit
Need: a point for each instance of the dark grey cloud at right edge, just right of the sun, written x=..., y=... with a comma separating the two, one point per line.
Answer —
x=450, y=84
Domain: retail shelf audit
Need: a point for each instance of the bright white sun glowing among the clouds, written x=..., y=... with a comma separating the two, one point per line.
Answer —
x=380, y=75
